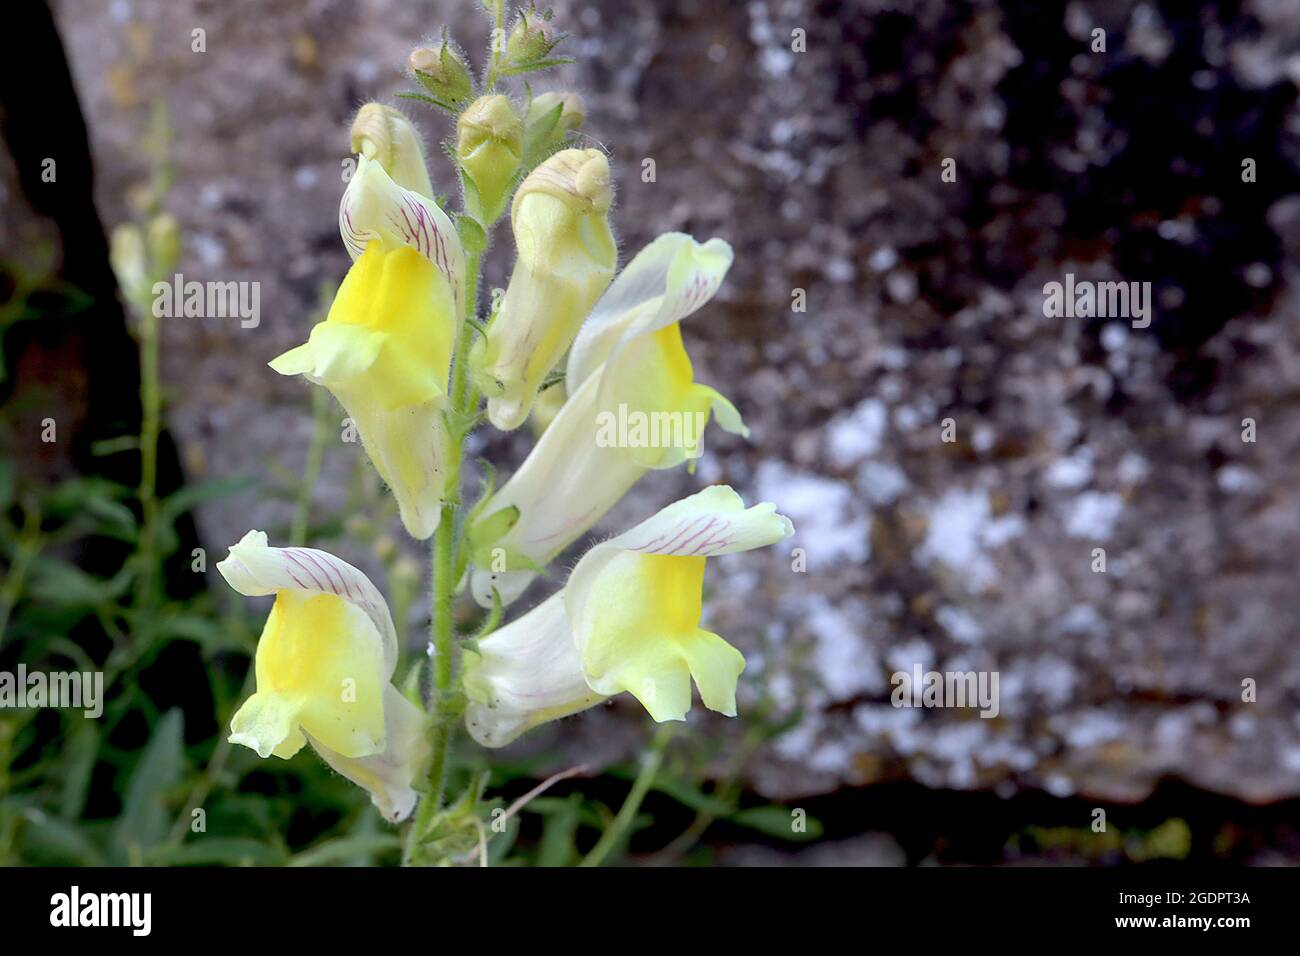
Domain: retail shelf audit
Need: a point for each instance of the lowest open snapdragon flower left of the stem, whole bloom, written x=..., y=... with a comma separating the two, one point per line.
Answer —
x=324, y=671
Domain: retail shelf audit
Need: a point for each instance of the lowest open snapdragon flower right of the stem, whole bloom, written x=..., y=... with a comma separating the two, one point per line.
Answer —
x=629, y=620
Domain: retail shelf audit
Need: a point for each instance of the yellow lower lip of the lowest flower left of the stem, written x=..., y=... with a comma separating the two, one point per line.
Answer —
x=319, y=672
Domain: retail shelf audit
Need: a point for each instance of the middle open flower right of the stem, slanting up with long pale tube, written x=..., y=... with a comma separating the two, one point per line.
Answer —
x=627, y=362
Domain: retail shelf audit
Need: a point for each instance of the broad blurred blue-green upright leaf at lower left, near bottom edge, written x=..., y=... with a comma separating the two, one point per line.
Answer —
x=146, y=817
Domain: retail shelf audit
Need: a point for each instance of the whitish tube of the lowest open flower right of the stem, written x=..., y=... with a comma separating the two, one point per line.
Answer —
x=523, y=676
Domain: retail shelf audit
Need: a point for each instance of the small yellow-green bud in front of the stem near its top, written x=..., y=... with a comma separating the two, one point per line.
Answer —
x=491, y=145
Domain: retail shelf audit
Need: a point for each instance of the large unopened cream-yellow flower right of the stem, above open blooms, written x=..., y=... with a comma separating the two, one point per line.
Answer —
x=565, y=259
